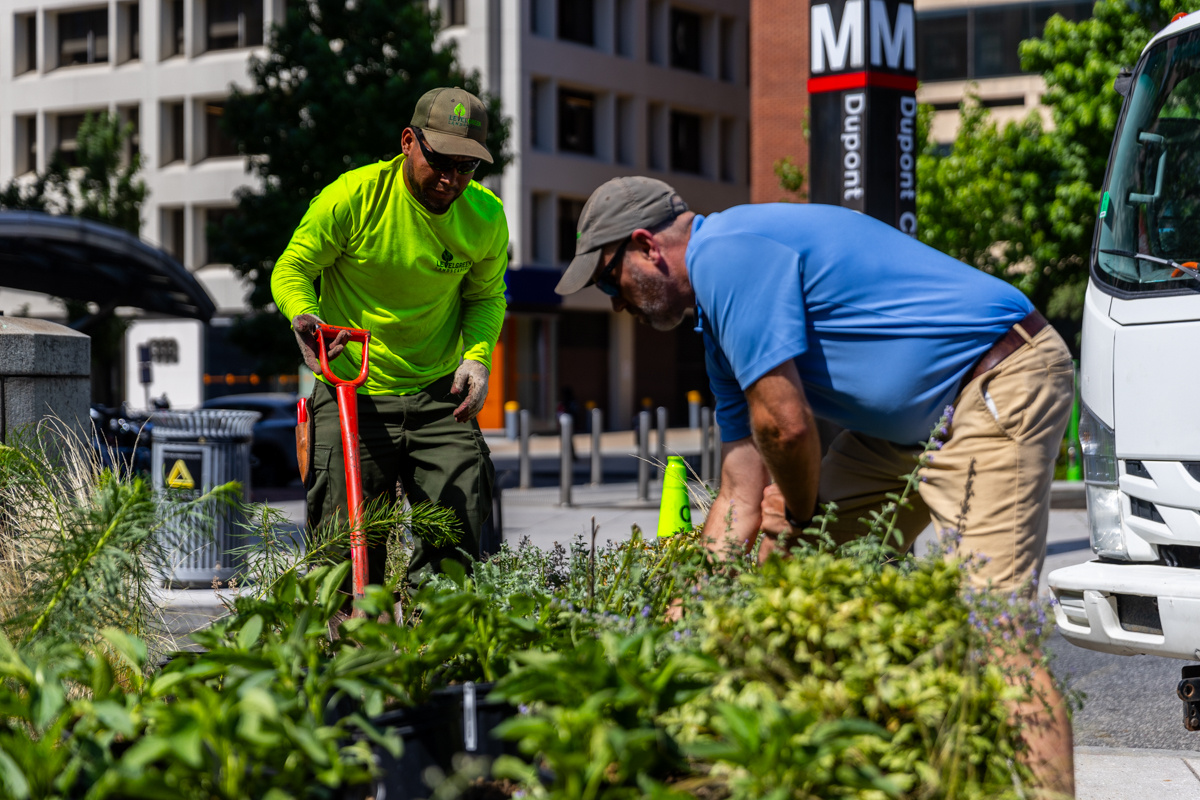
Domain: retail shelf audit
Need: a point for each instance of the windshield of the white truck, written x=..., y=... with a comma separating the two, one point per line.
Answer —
x=1151, y=203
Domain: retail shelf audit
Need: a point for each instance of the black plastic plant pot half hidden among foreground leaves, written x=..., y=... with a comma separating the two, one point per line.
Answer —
x=457, y=720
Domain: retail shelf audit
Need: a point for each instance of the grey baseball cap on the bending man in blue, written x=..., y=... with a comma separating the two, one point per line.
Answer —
x=615, y=212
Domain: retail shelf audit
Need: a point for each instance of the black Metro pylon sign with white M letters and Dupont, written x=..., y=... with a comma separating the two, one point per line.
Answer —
x=863, y=85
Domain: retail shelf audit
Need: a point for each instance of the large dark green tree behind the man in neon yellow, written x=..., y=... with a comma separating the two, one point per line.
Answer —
x=334, y=93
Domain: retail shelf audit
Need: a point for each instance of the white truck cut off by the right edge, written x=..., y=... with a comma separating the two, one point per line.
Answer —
x=1139, y=376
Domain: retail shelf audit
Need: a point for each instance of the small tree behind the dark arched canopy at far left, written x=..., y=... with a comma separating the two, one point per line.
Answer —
x=103, y=185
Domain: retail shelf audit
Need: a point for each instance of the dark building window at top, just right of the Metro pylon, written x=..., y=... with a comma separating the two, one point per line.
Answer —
x=969, y=44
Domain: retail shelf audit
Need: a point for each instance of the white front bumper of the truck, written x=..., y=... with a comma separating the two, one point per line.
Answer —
x=1130, y=609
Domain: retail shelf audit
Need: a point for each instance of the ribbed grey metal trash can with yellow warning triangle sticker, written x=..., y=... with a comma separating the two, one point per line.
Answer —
x=190, y=454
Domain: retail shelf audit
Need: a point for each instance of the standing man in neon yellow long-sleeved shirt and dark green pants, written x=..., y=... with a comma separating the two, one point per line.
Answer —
x=413, y=251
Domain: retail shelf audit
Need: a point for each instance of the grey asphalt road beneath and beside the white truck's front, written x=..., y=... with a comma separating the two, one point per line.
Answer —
x=1129, y=701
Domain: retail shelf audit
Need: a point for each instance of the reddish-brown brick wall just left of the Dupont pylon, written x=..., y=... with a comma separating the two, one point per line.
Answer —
x=779, y=99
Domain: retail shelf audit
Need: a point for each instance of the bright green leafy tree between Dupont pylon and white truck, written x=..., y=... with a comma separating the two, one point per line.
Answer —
x=1021, y=201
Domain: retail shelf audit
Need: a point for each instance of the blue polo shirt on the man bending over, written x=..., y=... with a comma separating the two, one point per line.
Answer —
x=881, y=328
